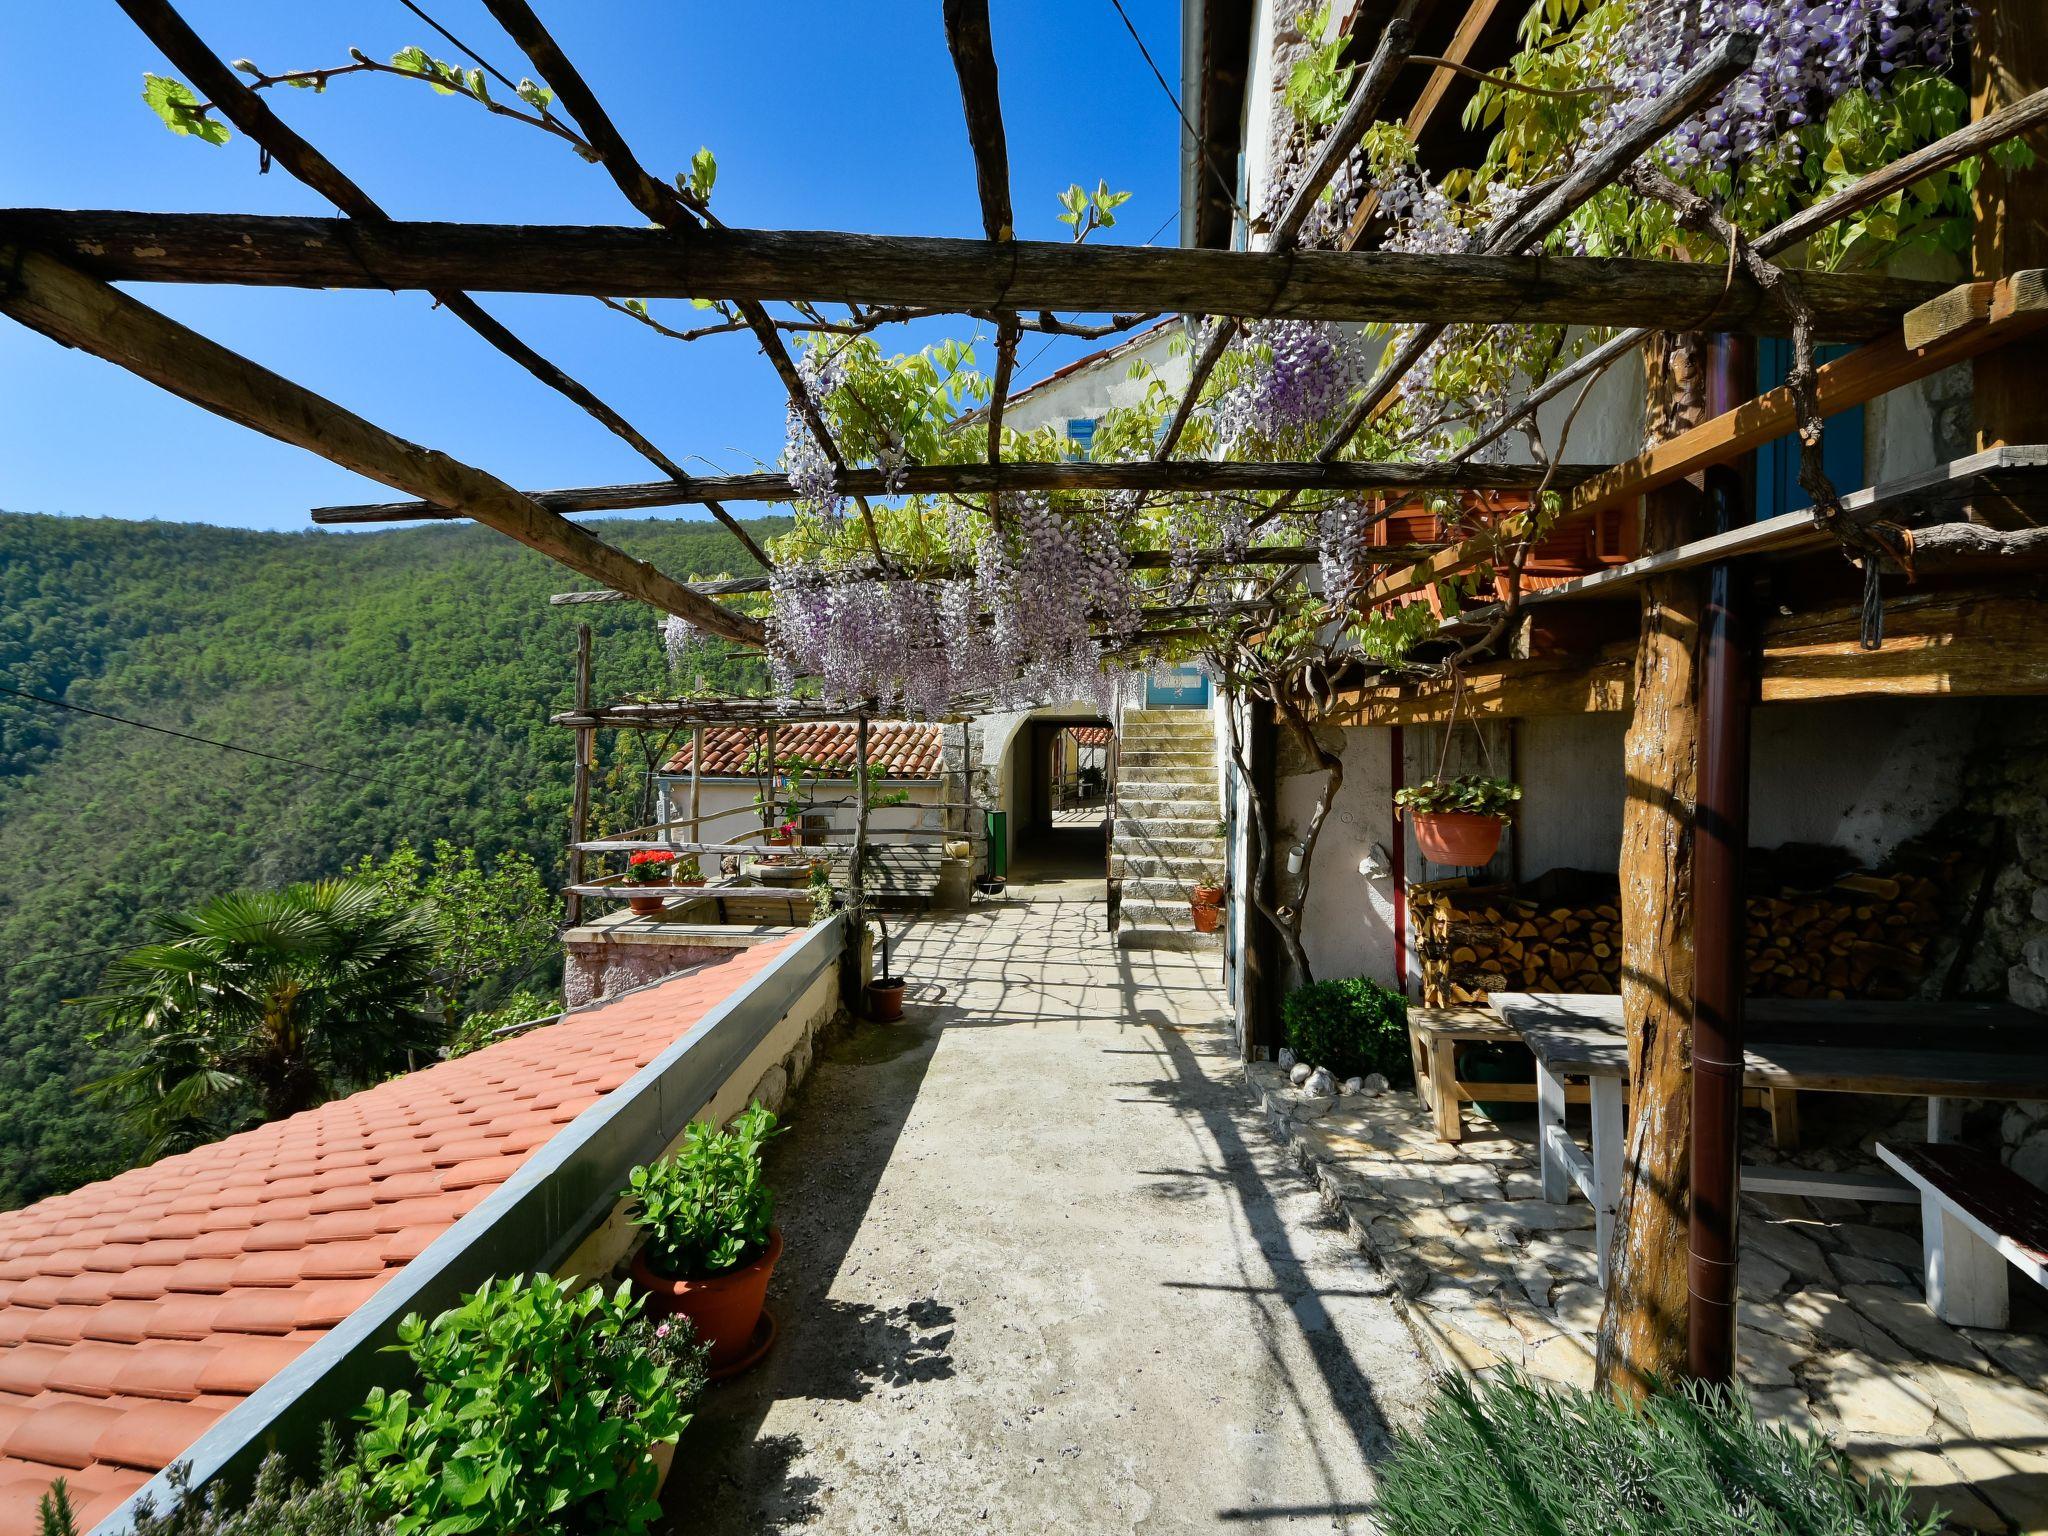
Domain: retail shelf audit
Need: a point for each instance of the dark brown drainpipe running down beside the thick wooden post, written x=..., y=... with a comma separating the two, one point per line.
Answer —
x=1721, y=841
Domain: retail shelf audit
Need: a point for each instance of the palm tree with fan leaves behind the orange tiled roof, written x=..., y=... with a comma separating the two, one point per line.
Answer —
x=259, y=1007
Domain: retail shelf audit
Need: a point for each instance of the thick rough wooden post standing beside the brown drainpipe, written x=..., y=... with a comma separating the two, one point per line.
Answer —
x=1644, y=1326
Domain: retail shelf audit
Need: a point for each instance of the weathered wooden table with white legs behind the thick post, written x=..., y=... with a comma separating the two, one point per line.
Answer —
x=1938, y=1052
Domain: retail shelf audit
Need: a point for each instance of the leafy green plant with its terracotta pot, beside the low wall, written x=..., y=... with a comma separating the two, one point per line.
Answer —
x=712, y=1244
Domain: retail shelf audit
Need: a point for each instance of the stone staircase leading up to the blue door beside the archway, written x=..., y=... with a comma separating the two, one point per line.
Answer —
x=1166, y=841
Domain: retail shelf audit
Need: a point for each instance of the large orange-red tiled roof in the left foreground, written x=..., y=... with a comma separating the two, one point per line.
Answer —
x=138, y=1312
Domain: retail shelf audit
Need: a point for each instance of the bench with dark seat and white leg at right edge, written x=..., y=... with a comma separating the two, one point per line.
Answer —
x=1977, y=1215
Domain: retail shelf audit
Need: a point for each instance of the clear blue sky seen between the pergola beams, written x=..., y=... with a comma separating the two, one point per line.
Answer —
x=839, y=116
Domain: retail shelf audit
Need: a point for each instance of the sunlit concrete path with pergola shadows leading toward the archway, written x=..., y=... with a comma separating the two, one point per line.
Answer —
x=1046, y=1271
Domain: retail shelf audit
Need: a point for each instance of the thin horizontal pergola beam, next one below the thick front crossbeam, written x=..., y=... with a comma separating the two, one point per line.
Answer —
x=1205, y=476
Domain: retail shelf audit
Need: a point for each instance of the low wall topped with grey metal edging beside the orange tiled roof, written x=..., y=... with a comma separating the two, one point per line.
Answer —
x=529, y=1224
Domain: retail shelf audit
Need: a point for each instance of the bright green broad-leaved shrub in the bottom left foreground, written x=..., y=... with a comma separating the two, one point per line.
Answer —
x=538, y=1410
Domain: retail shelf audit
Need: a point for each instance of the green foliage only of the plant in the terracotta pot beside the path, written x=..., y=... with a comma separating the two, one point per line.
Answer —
x=706, y=1209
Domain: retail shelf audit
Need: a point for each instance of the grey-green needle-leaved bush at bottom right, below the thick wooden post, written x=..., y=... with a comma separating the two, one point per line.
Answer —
x=1517, y=1457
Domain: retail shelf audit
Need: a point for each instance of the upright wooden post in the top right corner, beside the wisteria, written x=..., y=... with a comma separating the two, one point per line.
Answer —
x=2010, y=60
